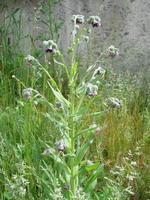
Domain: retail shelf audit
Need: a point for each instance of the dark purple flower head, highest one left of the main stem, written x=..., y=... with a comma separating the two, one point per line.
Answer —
x=50, y=46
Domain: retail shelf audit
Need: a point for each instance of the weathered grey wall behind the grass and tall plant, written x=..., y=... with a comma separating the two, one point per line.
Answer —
x=125, y=23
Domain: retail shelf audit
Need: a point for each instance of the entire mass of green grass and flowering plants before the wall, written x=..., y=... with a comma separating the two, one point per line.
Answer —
x=68, y=134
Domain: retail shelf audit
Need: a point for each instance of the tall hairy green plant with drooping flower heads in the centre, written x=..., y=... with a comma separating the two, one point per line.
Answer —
x=71, y=145
